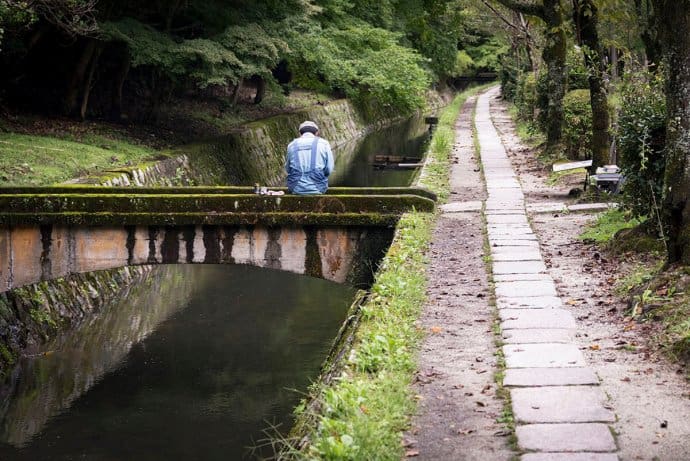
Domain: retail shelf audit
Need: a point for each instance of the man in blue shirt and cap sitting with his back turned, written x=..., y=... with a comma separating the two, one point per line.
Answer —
x=309, y=161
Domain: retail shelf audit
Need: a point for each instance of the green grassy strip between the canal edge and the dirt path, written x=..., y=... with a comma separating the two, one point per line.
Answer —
x=363, y=412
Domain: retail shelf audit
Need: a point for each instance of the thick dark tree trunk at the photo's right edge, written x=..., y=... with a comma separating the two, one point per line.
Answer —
x=673, y=19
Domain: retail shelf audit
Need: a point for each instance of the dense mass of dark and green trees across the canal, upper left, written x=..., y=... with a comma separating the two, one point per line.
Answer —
x=119, y=60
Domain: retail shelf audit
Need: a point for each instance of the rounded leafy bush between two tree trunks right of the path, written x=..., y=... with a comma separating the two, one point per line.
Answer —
x=577, y=129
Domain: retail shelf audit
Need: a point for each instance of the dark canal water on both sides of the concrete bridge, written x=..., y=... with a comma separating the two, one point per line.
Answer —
x=196, y=362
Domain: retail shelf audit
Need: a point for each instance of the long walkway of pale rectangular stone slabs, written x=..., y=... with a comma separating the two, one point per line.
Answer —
x=558, y=406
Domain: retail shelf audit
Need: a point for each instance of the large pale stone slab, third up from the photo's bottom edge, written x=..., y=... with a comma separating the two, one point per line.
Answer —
x=560, y=404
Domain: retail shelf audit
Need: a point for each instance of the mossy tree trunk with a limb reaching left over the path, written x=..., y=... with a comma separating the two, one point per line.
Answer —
x=554, y=55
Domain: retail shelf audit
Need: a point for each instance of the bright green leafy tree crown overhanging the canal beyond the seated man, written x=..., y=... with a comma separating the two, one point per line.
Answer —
x=363, y=62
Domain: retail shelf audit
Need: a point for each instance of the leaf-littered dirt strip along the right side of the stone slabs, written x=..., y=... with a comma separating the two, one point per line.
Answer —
x=649, y=396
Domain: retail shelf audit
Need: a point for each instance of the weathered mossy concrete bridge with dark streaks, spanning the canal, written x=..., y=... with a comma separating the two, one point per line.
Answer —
x=51, y=232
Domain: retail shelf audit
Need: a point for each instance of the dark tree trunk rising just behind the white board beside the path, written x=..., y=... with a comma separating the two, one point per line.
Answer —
x=585, y=15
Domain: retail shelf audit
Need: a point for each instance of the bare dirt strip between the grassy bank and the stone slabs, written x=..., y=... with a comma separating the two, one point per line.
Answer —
x=458, y=406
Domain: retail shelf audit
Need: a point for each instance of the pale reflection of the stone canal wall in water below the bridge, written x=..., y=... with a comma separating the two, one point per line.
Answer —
x=42, y=386
